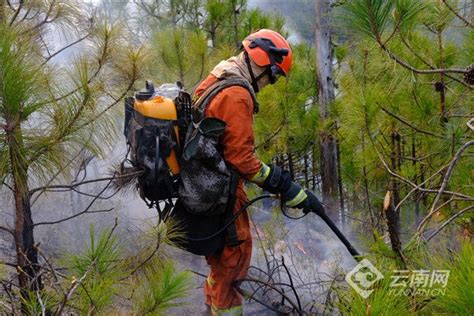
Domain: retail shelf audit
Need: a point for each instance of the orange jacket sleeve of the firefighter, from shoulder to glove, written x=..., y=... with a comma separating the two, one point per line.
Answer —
x=234, y=106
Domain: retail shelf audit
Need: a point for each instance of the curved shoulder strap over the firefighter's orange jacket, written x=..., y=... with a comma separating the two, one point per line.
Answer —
x=220, y=85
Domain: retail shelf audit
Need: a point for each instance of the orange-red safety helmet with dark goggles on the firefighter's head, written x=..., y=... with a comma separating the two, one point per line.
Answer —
x=269, y=48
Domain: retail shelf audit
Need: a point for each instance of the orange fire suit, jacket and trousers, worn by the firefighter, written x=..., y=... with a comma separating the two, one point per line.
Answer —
x=234, y=106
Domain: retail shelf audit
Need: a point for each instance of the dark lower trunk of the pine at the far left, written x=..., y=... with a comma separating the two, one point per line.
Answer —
x=26, y=252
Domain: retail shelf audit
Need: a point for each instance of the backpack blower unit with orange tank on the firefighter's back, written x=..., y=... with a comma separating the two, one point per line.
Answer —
x=156, y=122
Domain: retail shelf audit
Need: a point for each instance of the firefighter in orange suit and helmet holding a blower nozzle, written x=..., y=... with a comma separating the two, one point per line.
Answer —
x=266, y=56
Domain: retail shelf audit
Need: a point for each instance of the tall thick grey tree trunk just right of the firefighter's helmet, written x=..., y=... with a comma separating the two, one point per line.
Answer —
x=326, y=96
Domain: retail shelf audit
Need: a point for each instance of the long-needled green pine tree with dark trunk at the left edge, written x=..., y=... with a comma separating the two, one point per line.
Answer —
x=48, y=114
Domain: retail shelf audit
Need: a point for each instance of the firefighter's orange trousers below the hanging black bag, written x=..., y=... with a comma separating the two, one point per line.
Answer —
x=231, y=265
